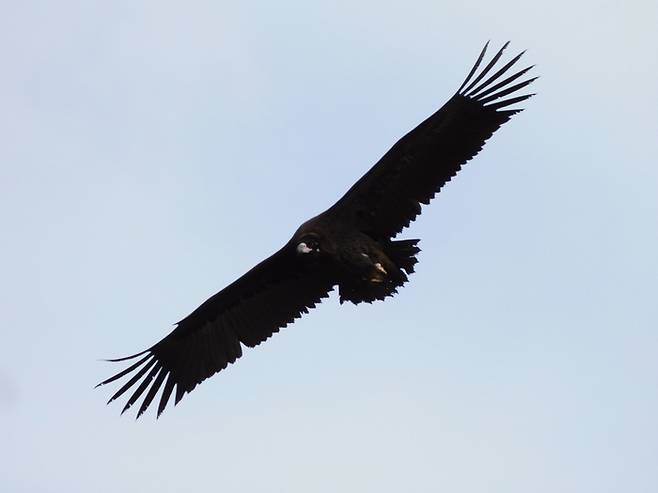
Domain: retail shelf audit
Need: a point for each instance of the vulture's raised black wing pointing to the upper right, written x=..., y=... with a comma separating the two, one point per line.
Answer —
x=388, y=197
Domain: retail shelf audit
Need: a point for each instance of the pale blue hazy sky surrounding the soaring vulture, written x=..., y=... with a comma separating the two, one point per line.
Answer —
x=154, y=151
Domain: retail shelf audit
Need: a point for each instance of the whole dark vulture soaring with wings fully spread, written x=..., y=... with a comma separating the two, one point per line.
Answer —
x=351, y=245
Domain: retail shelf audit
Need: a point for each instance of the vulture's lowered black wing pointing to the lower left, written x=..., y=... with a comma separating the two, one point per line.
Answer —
x=248, y=311
